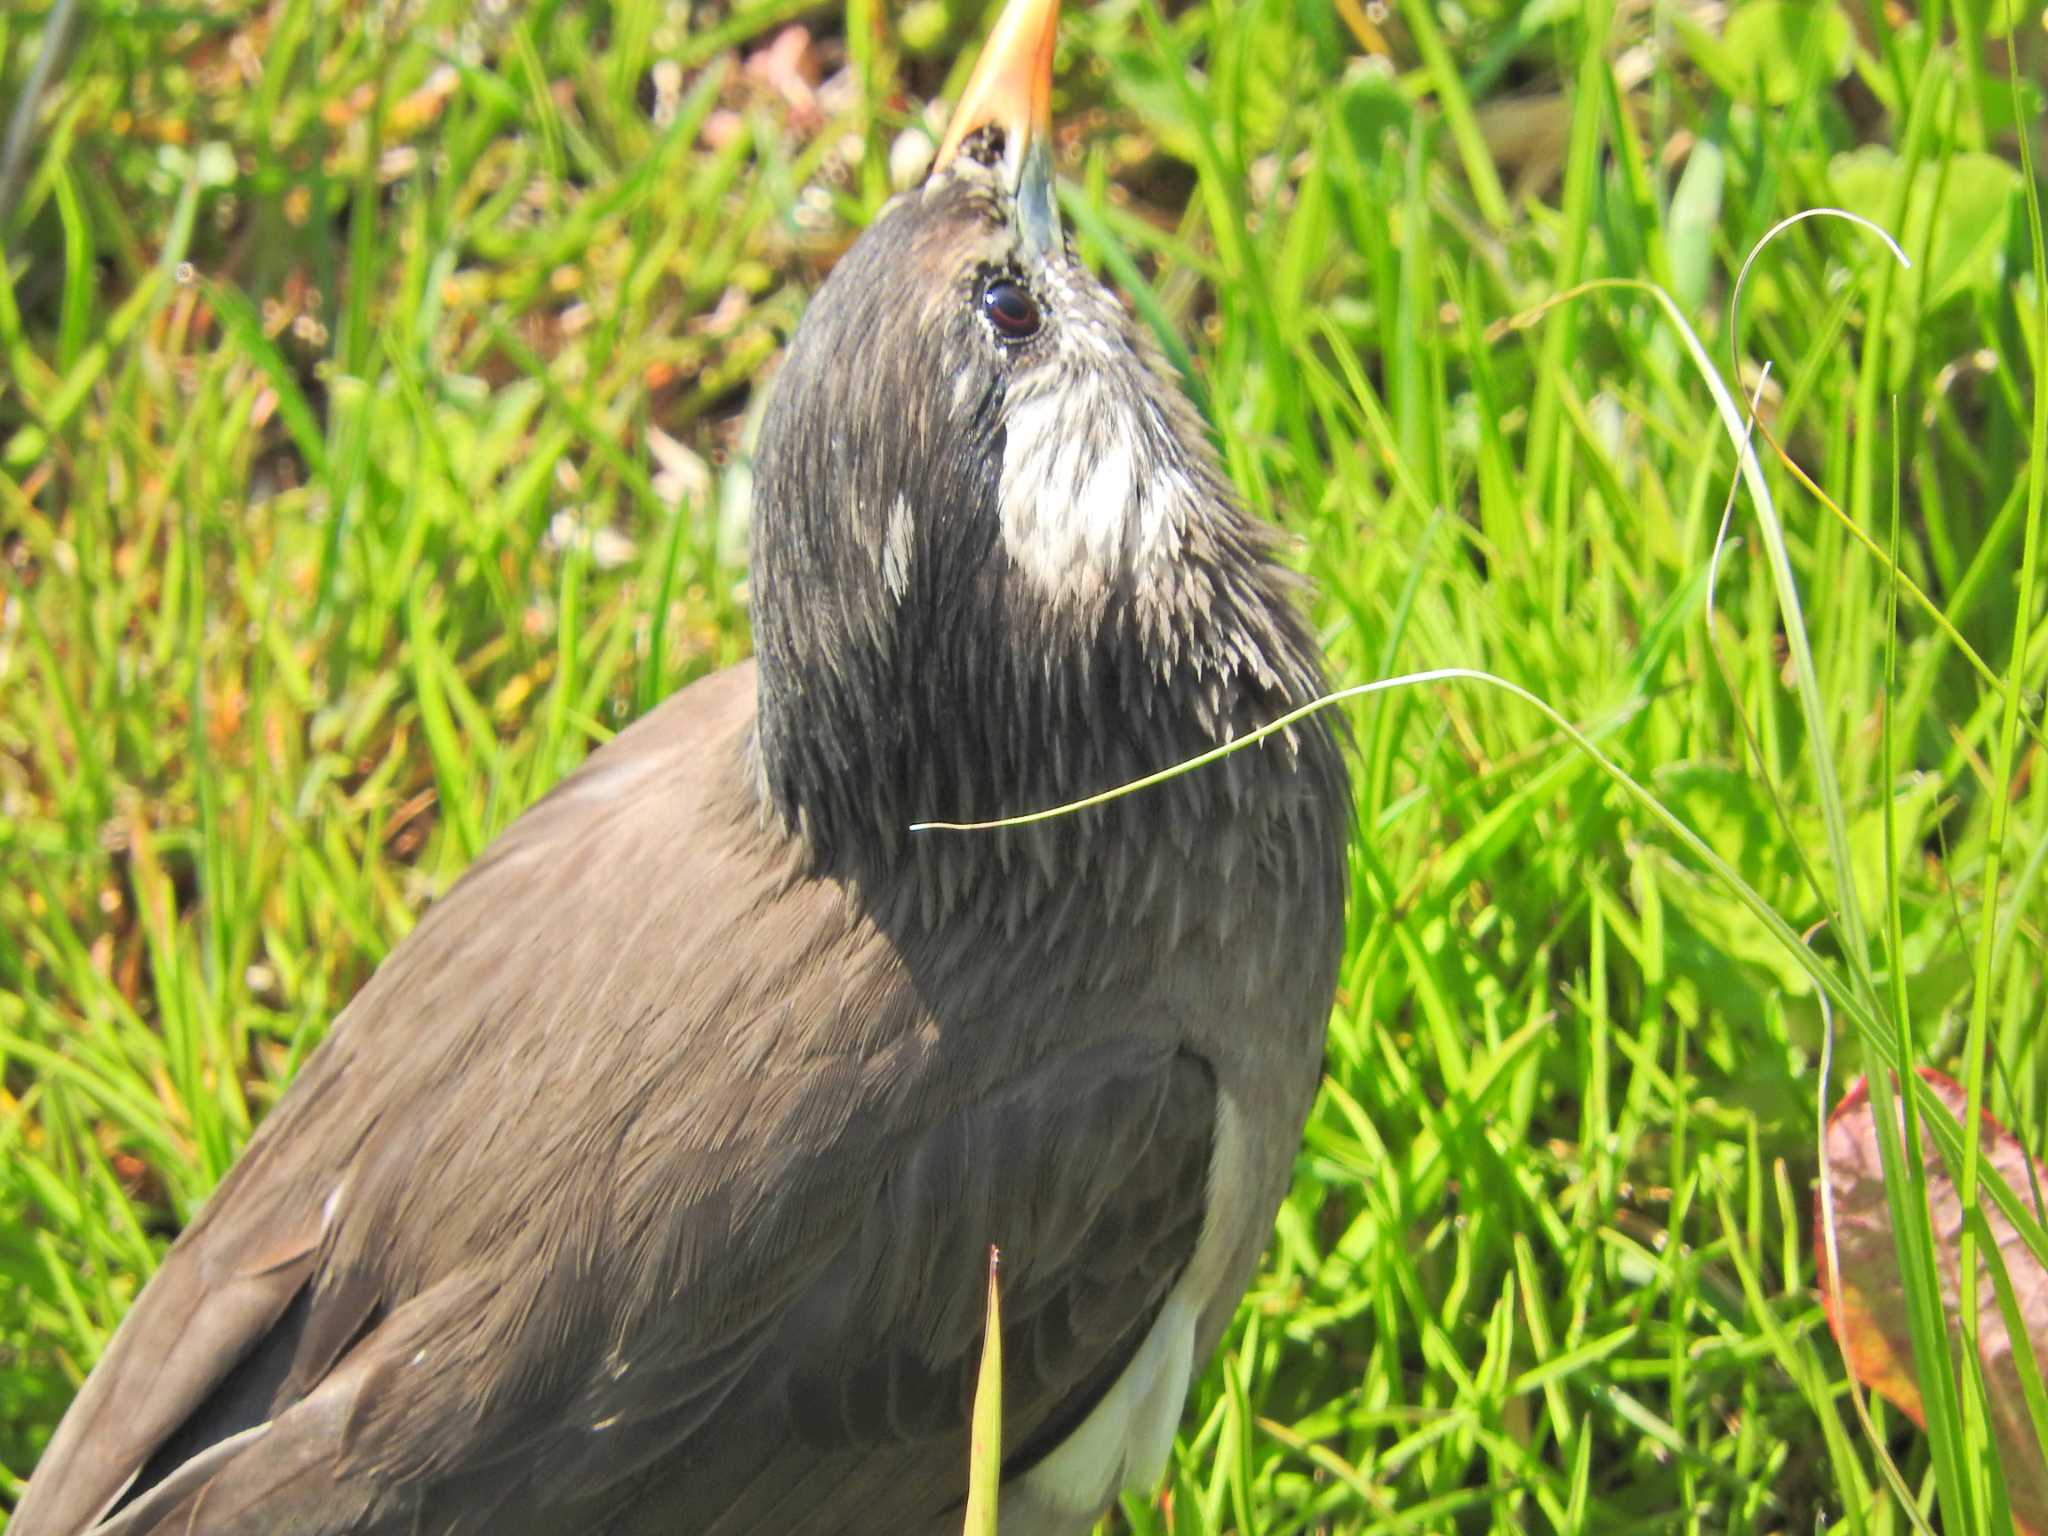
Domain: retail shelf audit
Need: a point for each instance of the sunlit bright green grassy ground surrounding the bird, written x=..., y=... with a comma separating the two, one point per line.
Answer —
x=374, y=437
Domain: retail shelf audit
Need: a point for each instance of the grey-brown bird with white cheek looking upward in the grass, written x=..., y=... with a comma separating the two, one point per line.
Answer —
x=648, y=1185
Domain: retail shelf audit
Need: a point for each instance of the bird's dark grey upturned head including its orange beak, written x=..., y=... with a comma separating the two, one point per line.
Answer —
x=994, y=558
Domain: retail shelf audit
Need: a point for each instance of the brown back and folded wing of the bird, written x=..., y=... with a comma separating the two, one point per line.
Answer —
x=681, y=1203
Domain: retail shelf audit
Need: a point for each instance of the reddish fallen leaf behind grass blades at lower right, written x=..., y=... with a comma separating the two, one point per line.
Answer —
x=1869, y=1306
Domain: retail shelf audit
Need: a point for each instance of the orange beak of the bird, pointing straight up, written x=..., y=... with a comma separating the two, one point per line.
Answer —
x=1013, y=91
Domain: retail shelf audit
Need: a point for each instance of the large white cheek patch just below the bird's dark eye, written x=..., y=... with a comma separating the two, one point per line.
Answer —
x=1080, y=503
